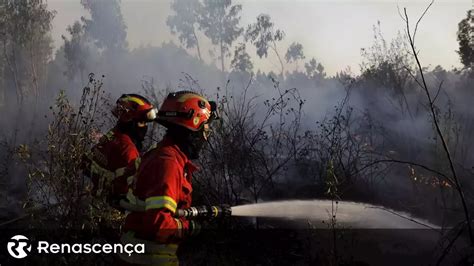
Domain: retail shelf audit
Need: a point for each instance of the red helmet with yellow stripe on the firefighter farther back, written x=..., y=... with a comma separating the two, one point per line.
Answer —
x=133, y=107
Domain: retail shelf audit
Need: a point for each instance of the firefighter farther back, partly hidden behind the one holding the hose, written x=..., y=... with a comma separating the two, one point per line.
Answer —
x=112, y=163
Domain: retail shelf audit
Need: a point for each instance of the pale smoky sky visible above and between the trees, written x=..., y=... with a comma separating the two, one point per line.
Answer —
x=333, y=32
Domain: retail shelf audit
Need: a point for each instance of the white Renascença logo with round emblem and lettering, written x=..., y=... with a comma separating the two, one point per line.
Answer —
x=20, y=244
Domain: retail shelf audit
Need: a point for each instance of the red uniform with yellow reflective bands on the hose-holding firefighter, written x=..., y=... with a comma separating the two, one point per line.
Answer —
x=163, y=184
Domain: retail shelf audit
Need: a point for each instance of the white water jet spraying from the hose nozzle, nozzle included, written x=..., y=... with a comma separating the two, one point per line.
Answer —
x=319, y=212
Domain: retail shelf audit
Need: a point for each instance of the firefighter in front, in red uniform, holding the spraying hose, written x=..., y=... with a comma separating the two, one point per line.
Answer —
x=163, y=180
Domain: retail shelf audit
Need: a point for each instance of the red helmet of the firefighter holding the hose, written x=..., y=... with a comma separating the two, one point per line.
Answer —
x=187, y=109
